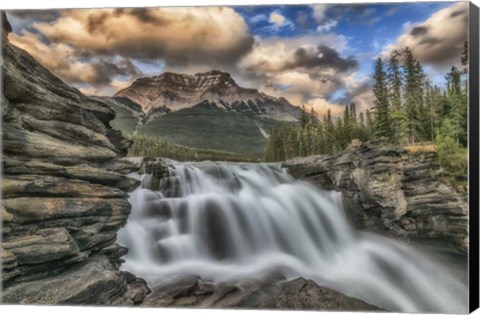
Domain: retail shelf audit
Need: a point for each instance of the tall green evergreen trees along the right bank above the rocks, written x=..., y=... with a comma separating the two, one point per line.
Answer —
x=407, y=109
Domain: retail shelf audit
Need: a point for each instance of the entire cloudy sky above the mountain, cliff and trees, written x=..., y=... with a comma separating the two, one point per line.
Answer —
x=319, y=56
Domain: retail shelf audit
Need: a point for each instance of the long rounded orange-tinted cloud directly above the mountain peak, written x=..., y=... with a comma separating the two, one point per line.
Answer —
x=178, y=35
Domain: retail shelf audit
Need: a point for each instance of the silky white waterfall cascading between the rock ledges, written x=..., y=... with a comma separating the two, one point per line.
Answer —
x=226, y=221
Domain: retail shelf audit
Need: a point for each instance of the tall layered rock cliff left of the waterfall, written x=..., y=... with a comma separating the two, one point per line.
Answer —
x=64, y=192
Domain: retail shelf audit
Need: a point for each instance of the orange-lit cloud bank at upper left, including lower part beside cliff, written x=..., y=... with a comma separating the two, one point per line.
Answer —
x=97, y=47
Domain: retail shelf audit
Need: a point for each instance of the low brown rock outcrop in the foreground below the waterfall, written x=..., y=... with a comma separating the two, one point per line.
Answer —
x=269, y=292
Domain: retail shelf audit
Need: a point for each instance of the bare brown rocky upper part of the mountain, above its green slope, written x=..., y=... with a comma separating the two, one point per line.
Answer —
x=172, y=92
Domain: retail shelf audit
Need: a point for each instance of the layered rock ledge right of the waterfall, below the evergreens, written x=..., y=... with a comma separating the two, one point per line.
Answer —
x=389, y=190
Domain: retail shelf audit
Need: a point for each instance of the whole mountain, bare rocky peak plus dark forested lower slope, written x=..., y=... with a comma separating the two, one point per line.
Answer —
x=206, y=111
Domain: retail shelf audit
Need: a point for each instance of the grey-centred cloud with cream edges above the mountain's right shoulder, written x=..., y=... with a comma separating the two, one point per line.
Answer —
x=300, y=72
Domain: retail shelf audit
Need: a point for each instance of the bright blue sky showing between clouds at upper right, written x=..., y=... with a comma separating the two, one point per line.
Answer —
x=368, y=27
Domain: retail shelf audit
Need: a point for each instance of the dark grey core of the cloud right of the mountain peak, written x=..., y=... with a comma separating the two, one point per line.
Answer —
x=322, y=57
